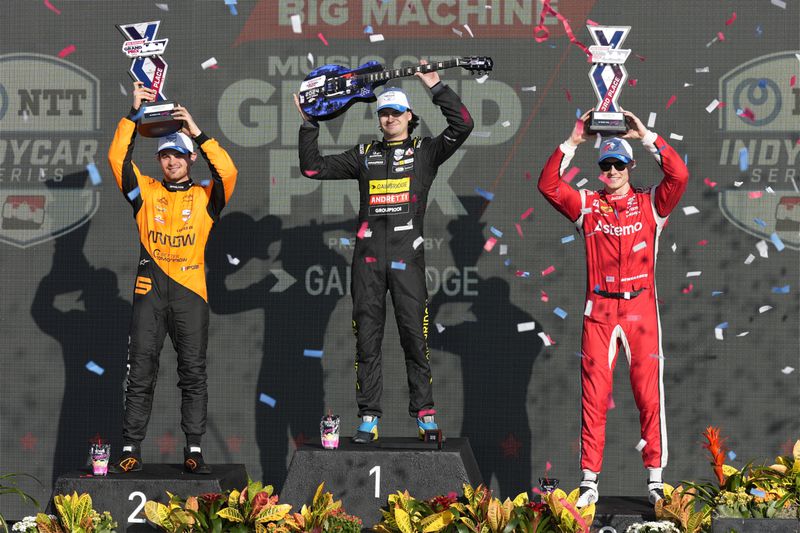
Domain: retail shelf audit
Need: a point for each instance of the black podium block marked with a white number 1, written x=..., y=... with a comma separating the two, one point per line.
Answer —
x=363, y=475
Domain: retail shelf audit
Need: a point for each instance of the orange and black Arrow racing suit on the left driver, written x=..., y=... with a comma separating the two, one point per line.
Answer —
x=174, y=221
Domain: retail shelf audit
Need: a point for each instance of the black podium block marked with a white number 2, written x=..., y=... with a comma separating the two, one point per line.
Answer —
x=124, y=495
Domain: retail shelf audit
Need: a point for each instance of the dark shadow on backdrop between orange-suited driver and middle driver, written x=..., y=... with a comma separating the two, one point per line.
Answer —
x=294, y=321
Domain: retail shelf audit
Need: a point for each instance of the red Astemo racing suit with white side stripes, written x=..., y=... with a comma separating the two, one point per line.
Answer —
x=621, y=238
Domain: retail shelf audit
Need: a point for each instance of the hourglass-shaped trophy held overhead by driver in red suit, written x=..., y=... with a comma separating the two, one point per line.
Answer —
x=608, y=77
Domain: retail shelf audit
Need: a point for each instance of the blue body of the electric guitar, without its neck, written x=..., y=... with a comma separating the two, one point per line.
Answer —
x=328, y=91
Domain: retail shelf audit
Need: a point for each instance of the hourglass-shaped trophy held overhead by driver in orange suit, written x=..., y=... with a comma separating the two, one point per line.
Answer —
x=149, y=67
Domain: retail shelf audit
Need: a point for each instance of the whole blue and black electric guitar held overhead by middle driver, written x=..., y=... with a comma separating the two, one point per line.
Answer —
x=328, y=91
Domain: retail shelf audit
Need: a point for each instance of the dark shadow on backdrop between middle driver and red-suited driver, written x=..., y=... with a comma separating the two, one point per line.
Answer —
x=496, y=418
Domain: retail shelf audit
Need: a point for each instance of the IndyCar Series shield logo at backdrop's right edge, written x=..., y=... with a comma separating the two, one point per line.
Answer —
x=759, y=127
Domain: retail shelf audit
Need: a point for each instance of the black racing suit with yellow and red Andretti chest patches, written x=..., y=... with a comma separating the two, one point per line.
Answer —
x=393, y=181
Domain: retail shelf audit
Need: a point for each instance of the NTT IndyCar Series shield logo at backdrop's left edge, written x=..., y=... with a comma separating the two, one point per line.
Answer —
x=50, y=124
